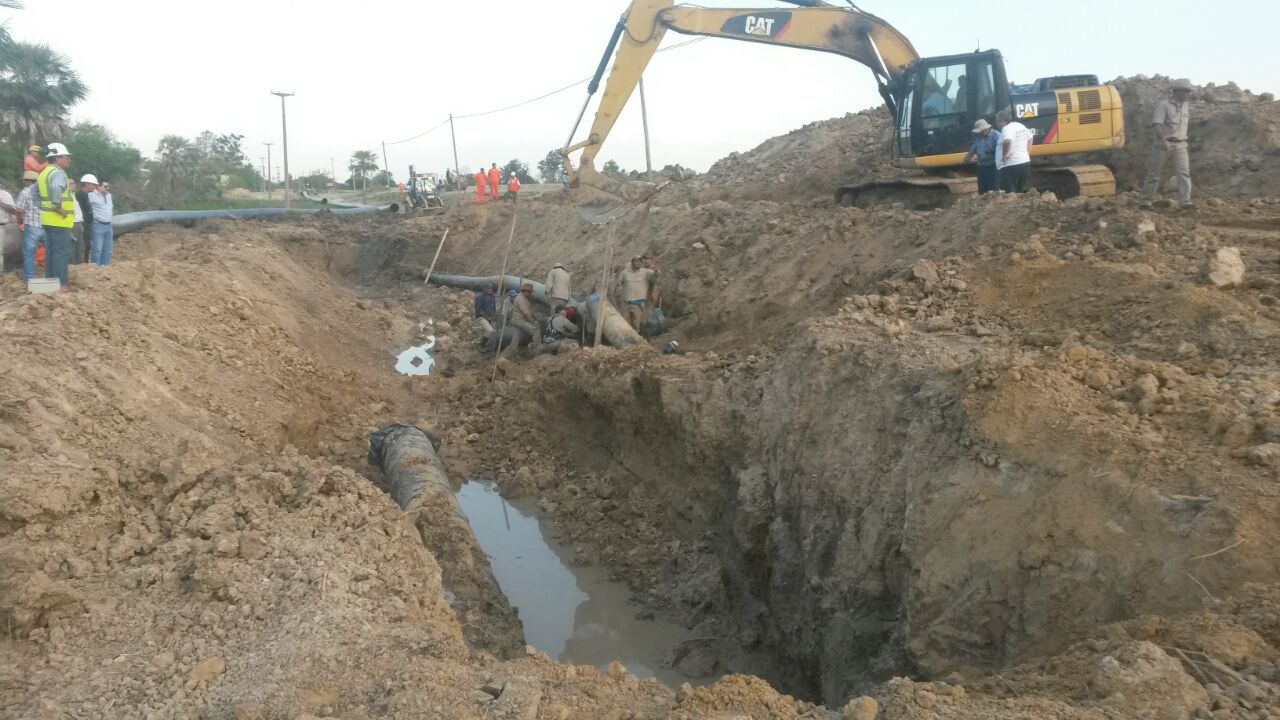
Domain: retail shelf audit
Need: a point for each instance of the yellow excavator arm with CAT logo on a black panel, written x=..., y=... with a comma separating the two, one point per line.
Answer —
x=812, y=26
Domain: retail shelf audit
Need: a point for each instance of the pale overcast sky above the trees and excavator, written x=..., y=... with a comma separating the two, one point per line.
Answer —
x=385, y=71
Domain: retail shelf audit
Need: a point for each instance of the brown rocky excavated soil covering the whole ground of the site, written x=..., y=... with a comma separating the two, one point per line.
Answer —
x=1014, y=459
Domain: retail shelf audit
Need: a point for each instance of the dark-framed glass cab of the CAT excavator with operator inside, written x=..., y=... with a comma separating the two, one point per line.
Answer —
x=940, y=99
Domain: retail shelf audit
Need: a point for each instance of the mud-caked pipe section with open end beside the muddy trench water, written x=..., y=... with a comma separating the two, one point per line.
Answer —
x=414, y=476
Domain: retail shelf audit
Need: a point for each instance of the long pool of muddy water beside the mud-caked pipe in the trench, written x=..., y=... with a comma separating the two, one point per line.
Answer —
x=575, y=616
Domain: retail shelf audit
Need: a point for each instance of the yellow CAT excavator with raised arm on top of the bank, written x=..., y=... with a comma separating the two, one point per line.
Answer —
x=935, y=102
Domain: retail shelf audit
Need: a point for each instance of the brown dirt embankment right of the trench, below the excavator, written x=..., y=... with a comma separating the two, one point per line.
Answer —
x=918, y=443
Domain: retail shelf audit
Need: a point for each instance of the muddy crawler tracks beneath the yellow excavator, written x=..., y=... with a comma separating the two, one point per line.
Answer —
x=935, y=193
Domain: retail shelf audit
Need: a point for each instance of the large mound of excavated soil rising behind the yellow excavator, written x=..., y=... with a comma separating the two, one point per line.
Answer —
x=1236, y=149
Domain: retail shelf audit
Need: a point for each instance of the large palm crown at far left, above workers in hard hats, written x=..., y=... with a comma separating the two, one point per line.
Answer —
x=38, y=88
